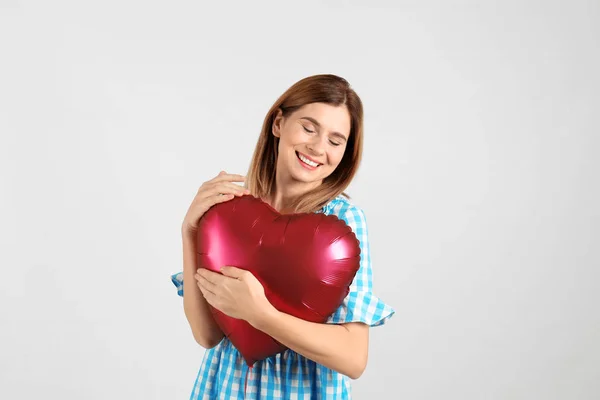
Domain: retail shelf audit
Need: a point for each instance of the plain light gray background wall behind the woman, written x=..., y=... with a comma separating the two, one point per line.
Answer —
x=479, y=183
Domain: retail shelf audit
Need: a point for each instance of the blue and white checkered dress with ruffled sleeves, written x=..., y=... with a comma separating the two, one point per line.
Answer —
x=224, y=374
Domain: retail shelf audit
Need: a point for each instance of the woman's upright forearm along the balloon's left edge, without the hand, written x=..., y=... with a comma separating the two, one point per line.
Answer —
x=204, y=328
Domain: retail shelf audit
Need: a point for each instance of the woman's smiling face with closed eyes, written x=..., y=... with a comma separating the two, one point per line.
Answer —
x=312, y=141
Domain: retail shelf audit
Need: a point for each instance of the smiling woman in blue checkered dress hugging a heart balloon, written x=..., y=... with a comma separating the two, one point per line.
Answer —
x=308, y=152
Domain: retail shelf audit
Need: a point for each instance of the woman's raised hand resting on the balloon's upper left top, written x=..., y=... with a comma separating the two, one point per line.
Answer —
x=217, y=190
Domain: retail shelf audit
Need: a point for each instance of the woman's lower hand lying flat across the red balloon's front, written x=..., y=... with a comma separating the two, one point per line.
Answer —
x=237, y=293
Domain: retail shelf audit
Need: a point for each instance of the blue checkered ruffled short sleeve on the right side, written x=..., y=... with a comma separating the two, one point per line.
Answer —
x=360, y=305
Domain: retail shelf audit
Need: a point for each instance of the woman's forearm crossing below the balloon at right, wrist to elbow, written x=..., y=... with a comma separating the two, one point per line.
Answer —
x=343, y=348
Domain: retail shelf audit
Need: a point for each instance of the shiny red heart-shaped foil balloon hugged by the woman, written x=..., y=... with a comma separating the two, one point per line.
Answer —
x=305, y=262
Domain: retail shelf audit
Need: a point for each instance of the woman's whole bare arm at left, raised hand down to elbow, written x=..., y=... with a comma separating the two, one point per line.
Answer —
x=204, y=328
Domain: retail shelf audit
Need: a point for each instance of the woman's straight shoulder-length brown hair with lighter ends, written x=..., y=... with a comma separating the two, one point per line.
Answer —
x=329, y=89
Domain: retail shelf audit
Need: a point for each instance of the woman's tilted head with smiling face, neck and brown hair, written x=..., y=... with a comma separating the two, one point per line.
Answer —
x=320, y=118
